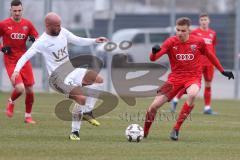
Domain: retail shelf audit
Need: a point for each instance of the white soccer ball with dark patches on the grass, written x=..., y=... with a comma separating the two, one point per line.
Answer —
x=134, y=133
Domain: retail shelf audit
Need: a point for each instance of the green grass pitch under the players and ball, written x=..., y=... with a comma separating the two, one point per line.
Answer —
x=202, y=137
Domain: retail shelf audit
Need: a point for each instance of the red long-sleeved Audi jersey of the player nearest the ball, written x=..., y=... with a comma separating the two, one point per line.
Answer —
x=185, y=57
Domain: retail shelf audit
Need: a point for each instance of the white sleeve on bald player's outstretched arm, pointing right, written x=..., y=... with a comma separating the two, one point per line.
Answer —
x=79, y=41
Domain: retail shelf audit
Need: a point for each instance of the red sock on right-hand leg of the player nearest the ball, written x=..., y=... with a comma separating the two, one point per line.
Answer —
x=186, y=110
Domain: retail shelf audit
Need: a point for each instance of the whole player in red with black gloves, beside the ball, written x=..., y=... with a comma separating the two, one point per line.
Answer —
x=184, y=51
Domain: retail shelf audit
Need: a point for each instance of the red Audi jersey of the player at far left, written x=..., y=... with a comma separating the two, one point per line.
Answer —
x=15, y=34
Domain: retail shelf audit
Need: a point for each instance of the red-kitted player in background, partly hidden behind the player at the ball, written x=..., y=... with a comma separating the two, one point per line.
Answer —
x=209, y=37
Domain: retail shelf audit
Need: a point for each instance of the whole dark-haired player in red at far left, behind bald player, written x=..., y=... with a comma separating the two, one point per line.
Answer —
x=15, y=31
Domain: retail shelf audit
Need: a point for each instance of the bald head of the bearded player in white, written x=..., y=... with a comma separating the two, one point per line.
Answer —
x=53, y=24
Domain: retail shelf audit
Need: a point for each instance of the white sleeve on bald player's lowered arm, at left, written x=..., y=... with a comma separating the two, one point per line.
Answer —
x=25, y=57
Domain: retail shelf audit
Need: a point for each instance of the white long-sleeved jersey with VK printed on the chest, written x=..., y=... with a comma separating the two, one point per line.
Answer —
x=53, y=48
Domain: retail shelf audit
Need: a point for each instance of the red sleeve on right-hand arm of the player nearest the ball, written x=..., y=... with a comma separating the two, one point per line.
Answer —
x=212, y=58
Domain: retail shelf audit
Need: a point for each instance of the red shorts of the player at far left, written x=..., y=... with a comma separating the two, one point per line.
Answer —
x=25, y=76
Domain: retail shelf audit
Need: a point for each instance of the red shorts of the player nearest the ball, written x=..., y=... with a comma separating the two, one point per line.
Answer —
x=171, y=89
